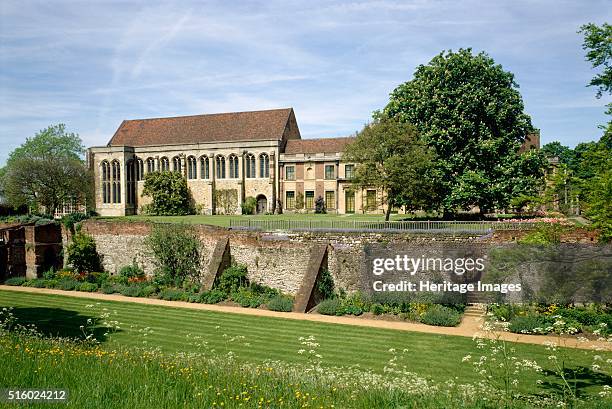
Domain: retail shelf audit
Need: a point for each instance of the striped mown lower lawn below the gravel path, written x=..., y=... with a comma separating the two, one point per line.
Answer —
x=432, y=356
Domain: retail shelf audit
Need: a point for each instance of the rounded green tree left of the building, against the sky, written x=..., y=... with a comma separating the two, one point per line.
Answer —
x=47, y=171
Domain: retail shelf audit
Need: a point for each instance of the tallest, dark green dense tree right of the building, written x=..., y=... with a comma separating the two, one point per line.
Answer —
x=469, y=110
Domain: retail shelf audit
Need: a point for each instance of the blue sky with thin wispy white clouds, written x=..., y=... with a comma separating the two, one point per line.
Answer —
x=91, y=64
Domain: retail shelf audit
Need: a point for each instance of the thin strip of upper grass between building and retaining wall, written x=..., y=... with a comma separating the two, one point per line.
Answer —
x=223, y=221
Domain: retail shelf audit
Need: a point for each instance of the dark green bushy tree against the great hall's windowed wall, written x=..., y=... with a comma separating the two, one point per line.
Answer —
x=169, y=192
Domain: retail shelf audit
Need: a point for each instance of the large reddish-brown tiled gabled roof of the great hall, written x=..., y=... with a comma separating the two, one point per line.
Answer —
x=226, y=127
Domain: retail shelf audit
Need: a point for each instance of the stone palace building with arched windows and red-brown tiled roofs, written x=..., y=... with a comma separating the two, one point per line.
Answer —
x=225, y=159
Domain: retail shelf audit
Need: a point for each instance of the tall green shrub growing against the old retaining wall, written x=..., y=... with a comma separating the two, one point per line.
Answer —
x=176, y=249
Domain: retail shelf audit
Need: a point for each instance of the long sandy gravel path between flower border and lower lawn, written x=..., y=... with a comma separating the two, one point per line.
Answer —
x=469, y=327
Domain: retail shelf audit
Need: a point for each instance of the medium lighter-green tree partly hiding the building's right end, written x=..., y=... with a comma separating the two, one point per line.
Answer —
x=390, y=157
